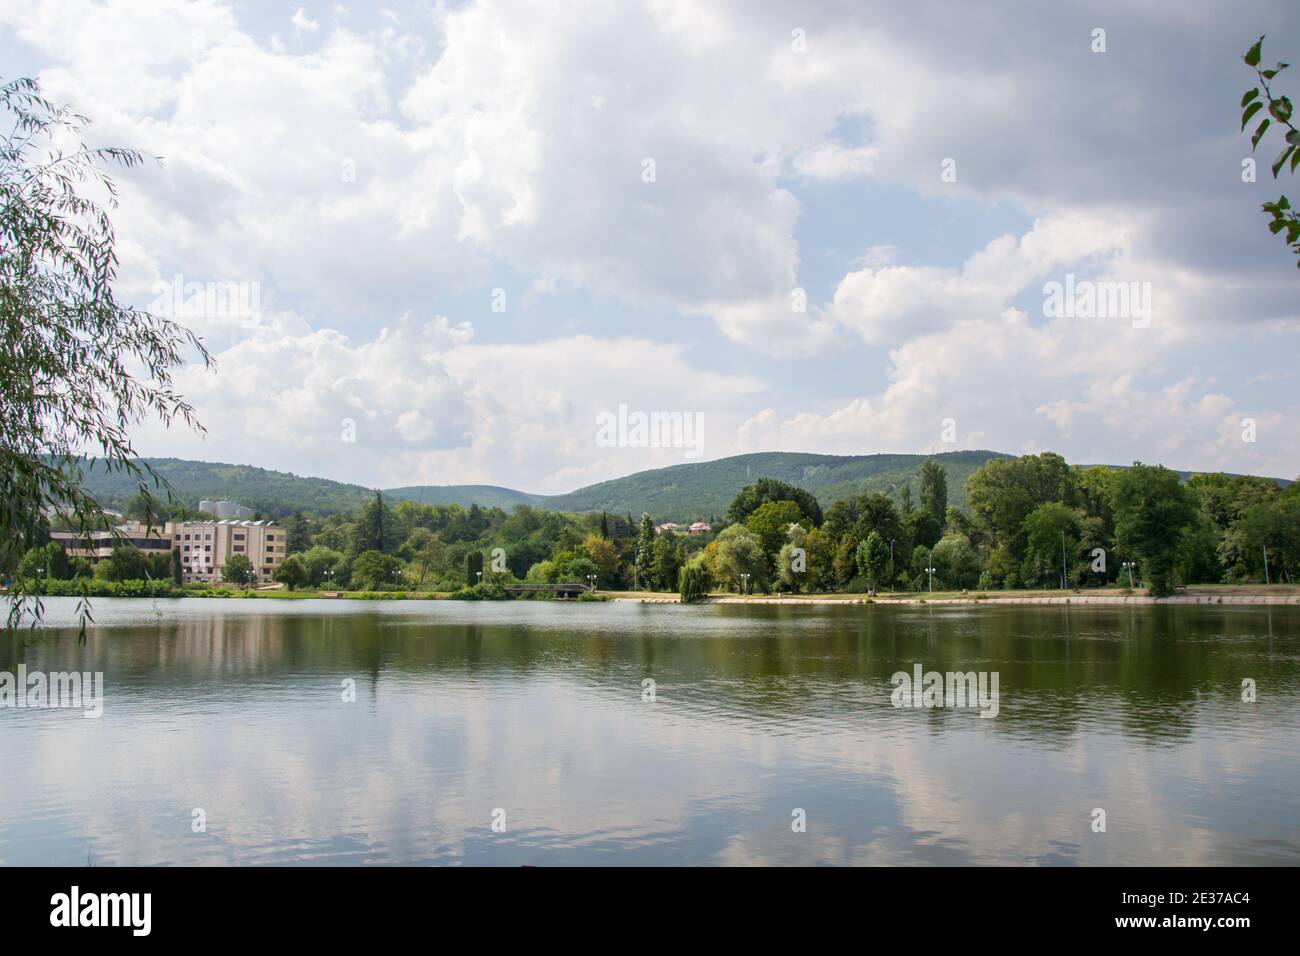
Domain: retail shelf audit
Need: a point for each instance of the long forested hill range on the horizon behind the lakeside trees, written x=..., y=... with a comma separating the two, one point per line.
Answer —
x=681, y=492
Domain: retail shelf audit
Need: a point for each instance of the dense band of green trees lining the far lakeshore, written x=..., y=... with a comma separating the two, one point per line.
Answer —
x=1034, y=522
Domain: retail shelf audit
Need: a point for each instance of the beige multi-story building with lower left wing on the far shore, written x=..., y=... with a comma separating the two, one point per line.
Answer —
x=205, y=546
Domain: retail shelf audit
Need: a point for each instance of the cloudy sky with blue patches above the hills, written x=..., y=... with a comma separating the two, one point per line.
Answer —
x=465, y=236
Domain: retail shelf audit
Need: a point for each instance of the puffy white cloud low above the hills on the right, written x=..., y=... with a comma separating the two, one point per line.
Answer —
x=1009, y=386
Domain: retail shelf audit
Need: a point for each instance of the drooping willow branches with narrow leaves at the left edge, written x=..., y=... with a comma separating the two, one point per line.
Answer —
x=79, y=370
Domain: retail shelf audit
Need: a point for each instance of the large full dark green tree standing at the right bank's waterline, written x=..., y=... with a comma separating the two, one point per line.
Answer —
x=1151, y=509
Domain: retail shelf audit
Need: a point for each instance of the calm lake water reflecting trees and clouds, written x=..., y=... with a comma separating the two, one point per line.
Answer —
x=463, y=711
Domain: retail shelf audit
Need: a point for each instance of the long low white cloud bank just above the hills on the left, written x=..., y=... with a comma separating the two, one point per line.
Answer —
x=428, y=405
